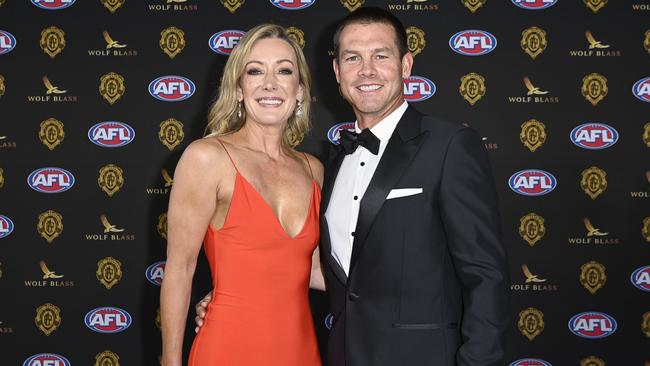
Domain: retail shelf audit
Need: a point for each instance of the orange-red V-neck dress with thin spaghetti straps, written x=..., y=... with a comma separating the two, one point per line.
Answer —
x=259, y=314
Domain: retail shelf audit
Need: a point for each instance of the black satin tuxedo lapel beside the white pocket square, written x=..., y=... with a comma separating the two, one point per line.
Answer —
x=401, y=148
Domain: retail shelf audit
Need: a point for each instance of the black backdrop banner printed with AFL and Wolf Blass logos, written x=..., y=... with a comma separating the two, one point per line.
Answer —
x=100, y=97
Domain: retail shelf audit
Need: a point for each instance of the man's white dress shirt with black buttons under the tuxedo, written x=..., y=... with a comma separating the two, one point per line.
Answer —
x=350, y=185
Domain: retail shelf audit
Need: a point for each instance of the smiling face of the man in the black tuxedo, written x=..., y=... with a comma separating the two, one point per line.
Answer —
x=370, y=70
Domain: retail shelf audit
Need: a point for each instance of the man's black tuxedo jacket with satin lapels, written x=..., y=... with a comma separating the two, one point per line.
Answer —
x=428, y=282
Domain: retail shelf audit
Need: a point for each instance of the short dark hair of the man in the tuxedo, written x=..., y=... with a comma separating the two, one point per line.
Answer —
x=369, y=15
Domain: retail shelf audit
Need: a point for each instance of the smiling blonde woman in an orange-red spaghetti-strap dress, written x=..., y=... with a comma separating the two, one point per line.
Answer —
x=253, y=201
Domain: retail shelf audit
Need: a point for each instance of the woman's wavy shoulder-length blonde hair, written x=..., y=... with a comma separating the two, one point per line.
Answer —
x=223, y=117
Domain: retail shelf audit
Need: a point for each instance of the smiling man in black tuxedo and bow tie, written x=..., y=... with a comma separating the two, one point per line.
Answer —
x=410, y=240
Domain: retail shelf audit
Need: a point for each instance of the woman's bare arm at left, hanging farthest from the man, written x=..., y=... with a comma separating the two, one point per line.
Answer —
x=192, y=204
